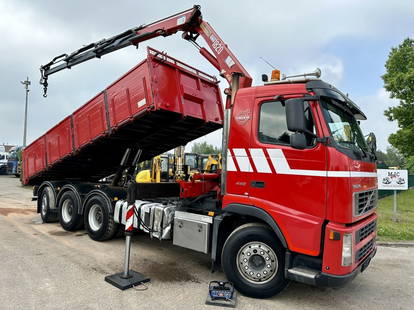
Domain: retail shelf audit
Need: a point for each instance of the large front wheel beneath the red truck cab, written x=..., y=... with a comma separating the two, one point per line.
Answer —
x=254, y=261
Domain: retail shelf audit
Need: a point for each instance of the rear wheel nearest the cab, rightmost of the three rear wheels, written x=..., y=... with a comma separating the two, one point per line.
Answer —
x=99, y=222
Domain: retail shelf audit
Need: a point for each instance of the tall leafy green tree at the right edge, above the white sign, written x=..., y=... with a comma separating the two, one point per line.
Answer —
x=399, y=81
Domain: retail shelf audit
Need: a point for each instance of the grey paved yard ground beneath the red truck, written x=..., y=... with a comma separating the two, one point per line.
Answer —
x=44, y=267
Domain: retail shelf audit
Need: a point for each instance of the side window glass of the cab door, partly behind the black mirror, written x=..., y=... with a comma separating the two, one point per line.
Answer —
x=273, y=127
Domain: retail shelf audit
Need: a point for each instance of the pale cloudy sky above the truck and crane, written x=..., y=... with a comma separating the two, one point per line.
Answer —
x=348, y=40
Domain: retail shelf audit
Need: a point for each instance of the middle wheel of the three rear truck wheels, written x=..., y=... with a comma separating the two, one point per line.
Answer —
x=68, y=215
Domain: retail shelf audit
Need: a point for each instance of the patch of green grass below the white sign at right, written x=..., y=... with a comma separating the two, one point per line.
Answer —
x=403, y=228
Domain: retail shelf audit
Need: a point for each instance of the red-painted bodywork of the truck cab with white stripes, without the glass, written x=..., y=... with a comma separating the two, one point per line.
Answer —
x=308, y=192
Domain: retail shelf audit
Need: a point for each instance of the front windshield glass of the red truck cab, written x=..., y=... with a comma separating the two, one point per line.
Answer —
x=344, y=127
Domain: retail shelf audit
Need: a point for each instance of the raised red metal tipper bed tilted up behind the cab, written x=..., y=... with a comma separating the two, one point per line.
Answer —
x=158, y=105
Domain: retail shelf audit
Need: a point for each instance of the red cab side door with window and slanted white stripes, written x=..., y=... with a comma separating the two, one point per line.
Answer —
x=288, y=182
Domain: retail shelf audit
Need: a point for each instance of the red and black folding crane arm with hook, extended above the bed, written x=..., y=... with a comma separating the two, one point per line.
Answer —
x=192, y=25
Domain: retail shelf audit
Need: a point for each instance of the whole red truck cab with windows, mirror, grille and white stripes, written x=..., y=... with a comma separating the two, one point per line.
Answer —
x=297, y=153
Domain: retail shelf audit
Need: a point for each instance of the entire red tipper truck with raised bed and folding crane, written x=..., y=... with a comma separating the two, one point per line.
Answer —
x=296, y=197
